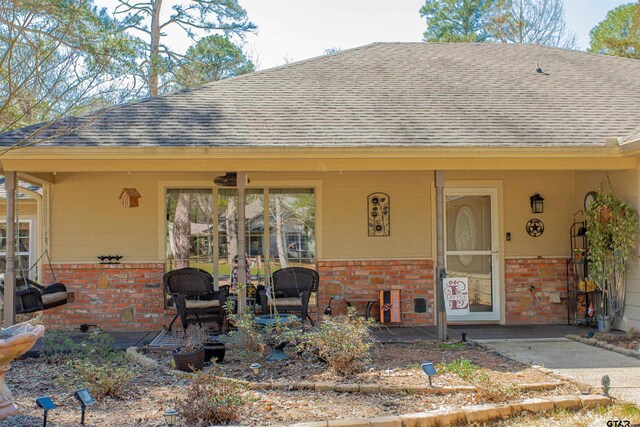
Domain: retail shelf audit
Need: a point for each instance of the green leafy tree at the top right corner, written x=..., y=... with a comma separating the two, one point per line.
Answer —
x=619, y=33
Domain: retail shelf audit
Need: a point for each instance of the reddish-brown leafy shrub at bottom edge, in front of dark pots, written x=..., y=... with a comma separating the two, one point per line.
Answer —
x=211, y=399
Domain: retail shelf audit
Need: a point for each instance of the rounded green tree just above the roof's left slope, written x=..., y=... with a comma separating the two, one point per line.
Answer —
x=212, y=58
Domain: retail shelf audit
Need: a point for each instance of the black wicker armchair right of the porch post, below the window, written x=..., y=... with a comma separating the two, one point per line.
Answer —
x=291, y=290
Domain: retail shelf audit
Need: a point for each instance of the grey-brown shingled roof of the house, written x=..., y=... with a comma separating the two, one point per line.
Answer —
x=389, y=94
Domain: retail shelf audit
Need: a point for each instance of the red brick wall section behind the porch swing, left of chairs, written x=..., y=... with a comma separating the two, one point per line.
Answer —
x=116, y=297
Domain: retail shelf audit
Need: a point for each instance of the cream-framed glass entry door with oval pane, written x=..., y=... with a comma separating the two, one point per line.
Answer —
x=471, y=249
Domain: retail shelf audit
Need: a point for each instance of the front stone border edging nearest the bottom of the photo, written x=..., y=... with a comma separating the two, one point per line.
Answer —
x=473, y=415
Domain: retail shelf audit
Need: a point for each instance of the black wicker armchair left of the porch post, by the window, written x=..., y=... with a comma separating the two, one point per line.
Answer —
x=194, y=297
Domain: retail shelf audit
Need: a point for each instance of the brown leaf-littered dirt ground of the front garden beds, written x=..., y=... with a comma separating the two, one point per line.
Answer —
x=153, y=391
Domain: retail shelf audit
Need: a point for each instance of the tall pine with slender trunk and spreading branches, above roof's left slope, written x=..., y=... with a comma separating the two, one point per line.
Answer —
x=205, y=15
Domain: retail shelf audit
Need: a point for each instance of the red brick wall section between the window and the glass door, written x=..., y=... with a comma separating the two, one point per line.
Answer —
x=361, y=281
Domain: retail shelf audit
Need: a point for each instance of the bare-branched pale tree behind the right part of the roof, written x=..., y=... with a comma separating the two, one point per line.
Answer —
x=532, y=22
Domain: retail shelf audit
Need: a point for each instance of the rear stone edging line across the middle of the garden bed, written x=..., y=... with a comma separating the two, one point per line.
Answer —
x=134, y=355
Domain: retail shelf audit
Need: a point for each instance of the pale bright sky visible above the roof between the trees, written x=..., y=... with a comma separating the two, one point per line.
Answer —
x=293, y=30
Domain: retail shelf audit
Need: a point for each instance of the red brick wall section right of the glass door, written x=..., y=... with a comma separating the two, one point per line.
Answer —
x=547, y=275
